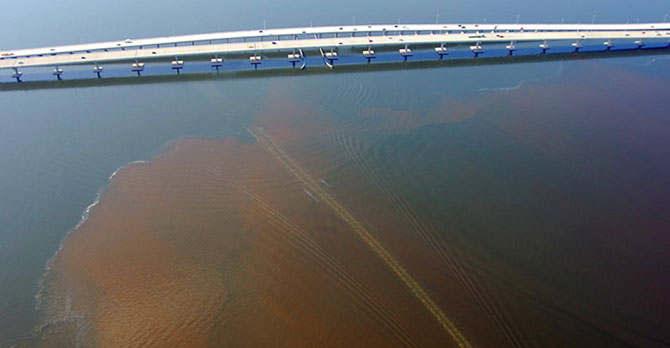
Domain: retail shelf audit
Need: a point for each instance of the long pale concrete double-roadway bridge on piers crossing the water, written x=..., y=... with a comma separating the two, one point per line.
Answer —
x=326, y=40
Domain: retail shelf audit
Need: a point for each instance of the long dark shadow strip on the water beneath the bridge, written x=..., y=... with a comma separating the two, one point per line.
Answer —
x=322, y=69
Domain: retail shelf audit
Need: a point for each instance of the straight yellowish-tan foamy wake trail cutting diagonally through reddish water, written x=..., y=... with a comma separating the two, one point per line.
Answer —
x=313, y=185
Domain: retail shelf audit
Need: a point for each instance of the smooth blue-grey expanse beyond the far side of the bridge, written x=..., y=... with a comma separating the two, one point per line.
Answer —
x=33, y=23
